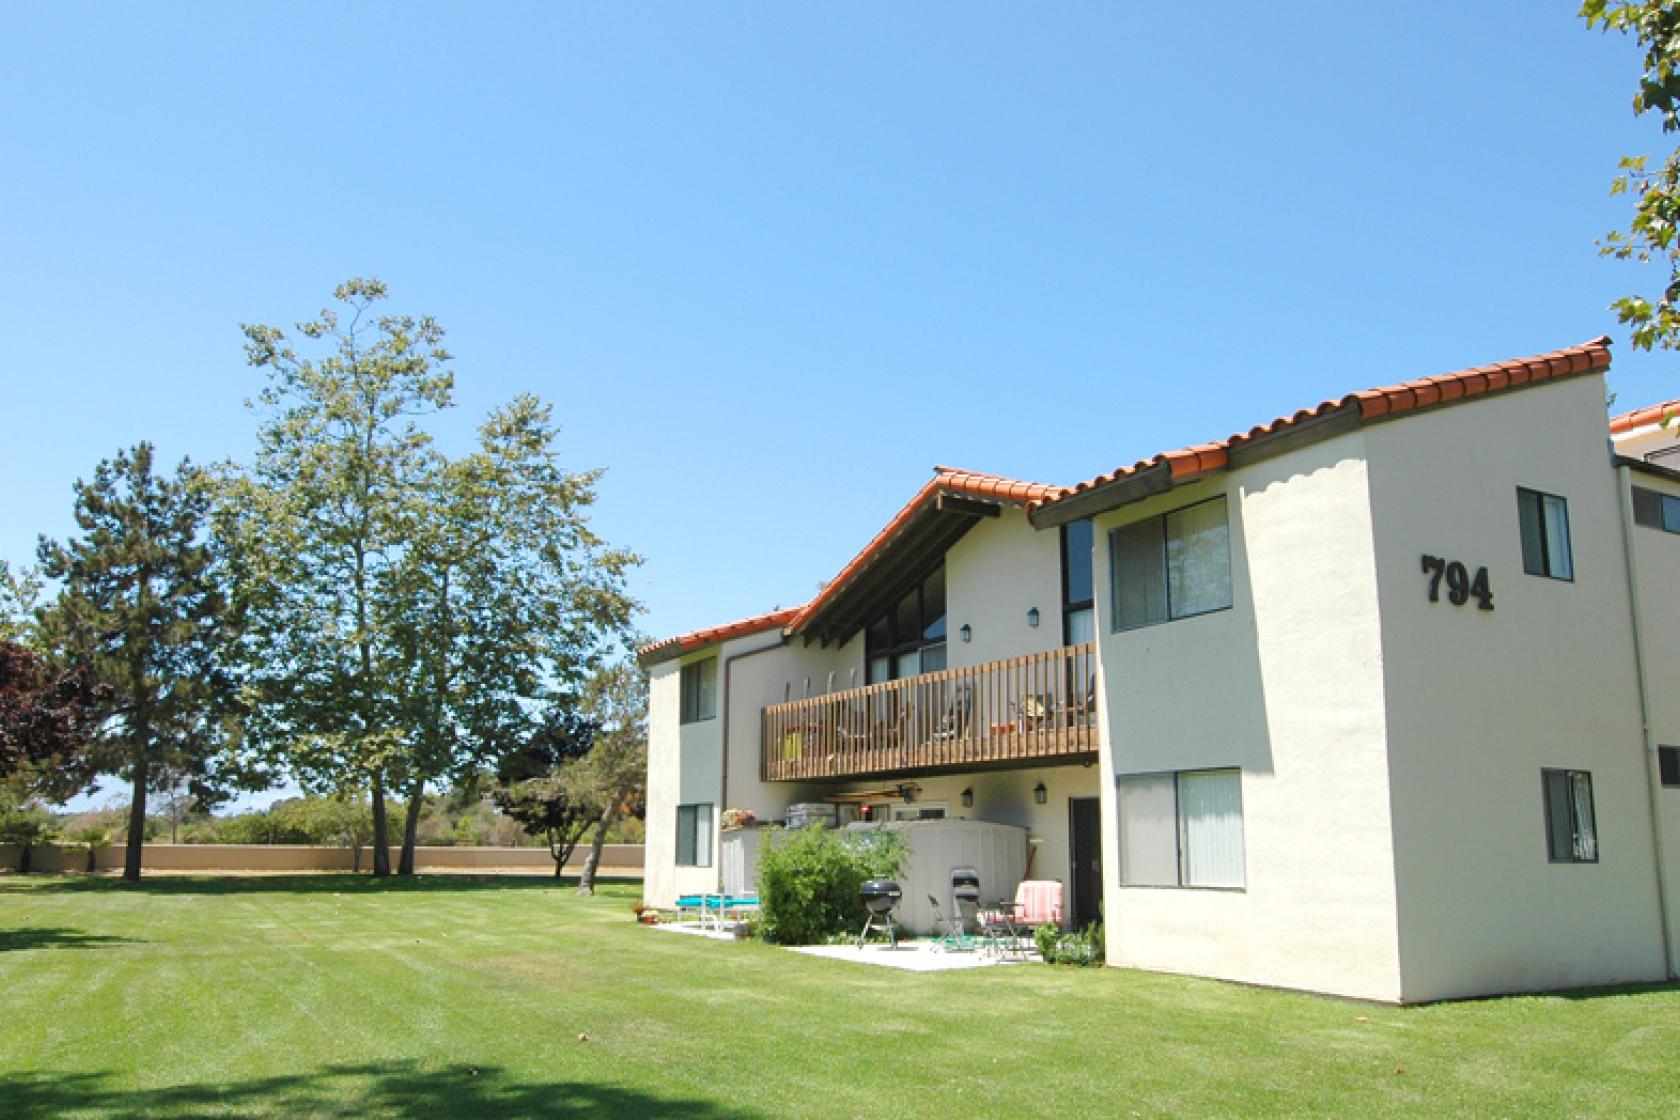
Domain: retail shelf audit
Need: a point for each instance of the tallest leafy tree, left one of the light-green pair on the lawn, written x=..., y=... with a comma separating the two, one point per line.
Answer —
x=322, y=523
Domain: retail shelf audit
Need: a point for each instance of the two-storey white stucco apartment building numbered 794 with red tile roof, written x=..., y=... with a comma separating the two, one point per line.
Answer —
x=1370, y=701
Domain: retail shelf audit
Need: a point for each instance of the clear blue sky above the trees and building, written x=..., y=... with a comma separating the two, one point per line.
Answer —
x=772, y=263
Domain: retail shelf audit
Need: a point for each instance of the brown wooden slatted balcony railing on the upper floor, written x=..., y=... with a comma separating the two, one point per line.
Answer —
x=1029, y=709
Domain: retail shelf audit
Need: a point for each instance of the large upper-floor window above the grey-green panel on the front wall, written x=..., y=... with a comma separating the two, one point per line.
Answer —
x=1172, y=567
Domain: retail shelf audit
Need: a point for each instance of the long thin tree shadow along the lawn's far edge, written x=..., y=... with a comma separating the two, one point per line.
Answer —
x=312, y=884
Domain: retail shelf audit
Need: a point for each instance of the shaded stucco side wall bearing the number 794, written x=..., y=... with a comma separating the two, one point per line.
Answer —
x=1483, y=701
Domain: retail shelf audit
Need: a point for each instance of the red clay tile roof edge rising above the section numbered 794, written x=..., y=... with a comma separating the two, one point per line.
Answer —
x=1373, y=406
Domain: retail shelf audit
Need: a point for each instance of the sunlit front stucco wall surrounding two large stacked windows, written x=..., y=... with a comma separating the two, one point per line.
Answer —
x=1286, y=686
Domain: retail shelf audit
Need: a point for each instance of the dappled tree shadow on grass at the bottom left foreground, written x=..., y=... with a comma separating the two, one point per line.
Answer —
x=350, y=1091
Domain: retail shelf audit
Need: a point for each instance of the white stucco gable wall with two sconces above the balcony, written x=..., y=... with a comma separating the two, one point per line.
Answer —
x=994, y=577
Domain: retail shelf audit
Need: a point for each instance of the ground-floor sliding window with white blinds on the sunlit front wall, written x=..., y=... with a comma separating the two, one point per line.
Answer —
x=1182, y=830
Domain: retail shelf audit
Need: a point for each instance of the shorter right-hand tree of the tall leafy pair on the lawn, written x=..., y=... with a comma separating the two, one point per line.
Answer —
x=507, y=600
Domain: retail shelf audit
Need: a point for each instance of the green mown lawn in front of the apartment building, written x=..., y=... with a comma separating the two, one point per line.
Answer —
x=470, y=997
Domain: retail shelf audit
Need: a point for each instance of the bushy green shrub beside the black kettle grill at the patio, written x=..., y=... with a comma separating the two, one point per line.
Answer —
x=809, y=881
